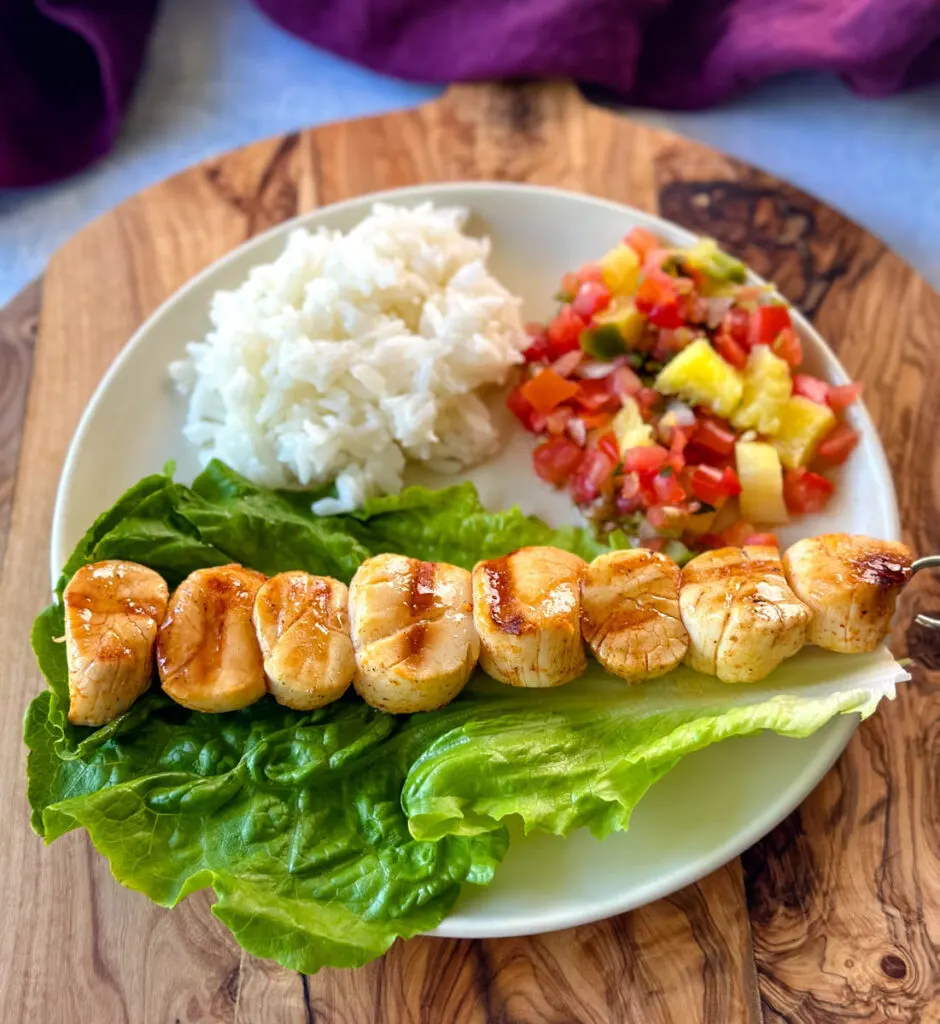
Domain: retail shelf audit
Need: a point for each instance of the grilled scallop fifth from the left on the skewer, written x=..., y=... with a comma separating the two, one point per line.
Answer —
x=527, y=608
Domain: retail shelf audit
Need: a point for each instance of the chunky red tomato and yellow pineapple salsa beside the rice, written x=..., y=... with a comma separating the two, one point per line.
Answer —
x=669, y=398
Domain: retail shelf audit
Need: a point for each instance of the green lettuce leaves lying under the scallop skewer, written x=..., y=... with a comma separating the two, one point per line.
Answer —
x=327, y=835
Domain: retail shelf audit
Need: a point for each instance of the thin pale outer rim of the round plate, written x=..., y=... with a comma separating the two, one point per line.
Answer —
x=455, y=926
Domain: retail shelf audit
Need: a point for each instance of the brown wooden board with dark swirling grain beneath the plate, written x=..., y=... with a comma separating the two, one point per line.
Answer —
x=835, y=917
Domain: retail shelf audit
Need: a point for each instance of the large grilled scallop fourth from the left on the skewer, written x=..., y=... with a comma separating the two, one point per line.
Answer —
x=412, y=628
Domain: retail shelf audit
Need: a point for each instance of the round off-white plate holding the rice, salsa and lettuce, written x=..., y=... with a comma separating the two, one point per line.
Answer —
x=717, y=802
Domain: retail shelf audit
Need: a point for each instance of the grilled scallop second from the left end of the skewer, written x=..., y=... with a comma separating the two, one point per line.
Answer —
x=207, y=652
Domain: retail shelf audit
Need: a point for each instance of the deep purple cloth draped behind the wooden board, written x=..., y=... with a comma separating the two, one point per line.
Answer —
x=68, y=67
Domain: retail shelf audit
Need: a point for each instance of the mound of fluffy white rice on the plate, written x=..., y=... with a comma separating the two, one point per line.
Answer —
x=352, y=355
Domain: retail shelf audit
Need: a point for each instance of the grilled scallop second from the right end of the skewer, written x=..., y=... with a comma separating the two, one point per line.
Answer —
x=742, y=617
